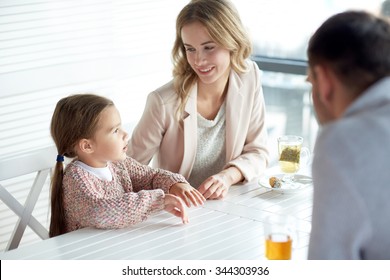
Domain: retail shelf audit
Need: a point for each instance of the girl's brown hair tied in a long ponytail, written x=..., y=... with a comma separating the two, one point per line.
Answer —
x=75, y=117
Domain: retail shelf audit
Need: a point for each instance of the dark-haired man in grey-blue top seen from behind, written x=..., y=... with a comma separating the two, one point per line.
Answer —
x=349, y=69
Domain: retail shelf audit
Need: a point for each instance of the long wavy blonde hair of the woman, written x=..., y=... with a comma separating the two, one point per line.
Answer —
x=224, y=25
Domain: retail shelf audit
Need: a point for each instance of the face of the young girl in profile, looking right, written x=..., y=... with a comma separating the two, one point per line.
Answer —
x=110, y=140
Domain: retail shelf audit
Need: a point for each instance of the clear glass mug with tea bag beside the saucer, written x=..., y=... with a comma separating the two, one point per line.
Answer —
x=290, y=153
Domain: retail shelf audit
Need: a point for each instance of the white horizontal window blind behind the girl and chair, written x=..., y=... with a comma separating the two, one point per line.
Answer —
x=50, y=49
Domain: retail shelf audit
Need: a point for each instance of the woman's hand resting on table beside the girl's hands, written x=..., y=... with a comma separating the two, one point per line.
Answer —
x=214, y=187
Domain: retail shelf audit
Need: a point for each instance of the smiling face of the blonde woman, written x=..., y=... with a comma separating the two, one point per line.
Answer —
x=210, y=61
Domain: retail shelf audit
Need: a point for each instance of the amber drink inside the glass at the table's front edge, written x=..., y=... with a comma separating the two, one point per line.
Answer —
x=278, y=247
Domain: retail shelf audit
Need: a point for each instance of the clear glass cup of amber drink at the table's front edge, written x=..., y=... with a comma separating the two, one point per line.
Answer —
x=280, y=233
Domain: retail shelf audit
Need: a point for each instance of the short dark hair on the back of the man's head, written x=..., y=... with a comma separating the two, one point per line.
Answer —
x=356, y=46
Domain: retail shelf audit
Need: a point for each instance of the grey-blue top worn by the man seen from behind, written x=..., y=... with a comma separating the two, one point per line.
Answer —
x=351, y=179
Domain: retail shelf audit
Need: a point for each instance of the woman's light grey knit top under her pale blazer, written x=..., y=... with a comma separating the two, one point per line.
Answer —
x=211, y=148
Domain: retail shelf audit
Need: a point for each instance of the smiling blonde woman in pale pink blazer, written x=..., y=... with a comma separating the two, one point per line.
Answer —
x=208, y=123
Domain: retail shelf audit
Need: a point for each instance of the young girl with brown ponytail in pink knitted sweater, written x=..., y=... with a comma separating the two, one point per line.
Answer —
x=102, y=187
